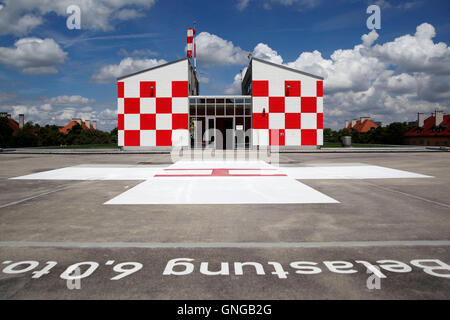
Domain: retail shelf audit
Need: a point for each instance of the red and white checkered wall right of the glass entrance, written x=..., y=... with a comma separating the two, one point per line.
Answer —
x=286, y=112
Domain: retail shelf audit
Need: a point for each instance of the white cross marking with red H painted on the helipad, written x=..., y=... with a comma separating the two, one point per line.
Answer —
x=221, y=182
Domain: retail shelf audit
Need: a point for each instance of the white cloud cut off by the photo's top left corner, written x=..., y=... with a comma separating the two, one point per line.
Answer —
x=19, y=17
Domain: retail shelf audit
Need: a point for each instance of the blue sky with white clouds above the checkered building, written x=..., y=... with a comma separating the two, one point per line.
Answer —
x=65, y=73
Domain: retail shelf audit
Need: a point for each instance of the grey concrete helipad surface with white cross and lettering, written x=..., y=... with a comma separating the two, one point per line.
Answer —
x=139, y=226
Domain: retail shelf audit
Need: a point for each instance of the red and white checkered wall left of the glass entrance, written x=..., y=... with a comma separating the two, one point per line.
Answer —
x=152, y=116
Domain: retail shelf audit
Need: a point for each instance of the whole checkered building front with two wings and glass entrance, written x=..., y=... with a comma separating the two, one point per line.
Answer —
x=160, y=108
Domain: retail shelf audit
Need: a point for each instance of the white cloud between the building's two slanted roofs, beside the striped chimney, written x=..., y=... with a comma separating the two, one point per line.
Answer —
x=212, y=50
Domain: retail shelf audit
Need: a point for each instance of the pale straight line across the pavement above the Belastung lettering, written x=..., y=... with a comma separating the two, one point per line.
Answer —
x=256, y=245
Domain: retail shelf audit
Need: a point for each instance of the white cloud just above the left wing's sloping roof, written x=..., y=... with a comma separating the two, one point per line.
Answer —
x=109, y=73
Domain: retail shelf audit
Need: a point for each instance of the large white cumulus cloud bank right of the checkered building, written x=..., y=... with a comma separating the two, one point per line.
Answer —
x=390, y=82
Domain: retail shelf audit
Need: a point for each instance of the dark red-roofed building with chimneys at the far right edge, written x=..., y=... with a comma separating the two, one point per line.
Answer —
x=434, y=131
